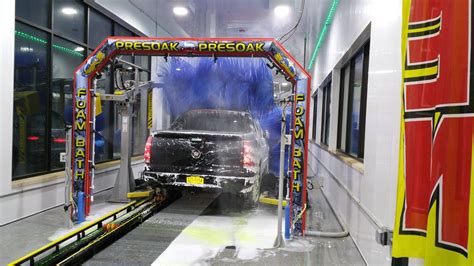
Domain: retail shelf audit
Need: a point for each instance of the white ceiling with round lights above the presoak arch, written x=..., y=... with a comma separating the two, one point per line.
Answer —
x=231, y=18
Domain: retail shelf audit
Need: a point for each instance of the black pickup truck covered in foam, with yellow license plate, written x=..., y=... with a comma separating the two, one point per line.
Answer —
x=210, y=149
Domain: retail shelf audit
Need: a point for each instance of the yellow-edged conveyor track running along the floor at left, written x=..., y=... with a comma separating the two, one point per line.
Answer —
x=82, y=243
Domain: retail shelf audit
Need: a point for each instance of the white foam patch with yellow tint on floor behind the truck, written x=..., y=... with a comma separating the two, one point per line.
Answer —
x=247, y=233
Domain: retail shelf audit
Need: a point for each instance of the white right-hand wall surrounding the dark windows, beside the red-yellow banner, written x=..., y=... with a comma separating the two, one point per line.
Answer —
x=376, y=187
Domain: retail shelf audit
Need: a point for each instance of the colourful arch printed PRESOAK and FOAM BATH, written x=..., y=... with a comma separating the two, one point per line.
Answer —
x=82, y=162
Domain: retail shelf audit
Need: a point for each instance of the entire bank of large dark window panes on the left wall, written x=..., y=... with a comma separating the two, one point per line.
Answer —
x=47, y=50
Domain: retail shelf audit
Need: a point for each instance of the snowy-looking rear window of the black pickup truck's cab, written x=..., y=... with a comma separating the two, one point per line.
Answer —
x=222, y=121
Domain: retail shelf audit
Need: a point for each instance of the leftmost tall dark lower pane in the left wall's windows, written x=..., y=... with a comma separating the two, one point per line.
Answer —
x=30, y=100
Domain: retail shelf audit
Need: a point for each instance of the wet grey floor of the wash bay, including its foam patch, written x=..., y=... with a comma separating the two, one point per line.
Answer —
x=196, y=230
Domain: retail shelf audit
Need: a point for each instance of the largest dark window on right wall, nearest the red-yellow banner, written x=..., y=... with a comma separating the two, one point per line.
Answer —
x=352, y=104
